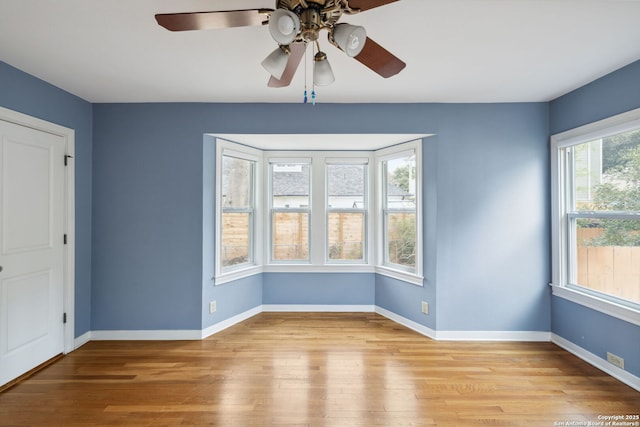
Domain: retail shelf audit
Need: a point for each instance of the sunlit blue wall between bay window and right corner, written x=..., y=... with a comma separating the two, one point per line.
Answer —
x=493, y=221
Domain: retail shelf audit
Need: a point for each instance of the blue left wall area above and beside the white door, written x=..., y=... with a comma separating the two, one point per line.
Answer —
x=29, y=95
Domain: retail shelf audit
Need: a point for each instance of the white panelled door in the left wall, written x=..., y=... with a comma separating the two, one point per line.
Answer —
x=32, y=192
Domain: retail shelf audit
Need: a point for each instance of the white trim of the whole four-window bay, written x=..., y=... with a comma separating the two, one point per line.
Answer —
x=319, y=262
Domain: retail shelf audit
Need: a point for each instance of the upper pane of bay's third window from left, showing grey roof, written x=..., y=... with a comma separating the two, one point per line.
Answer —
x=346, y=186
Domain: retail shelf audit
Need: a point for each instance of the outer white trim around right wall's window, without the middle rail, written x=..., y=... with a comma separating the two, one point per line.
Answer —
x=559, y=233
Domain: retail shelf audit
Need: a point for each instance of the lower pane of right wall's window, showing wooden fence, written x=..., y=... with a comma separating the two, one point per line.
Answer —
x=608, y=257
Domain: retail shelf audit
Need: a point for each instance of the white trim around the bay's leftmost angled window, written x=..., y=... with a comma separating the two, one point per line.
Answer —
x=221, y=275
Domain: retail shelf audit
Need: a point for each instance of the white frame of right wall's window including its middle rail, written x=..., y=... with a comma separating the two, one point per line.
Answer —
x=562, y=235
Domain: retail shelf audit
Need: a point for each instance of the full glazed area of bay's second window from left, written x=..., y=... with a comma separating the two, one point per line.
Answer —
x=290, y=210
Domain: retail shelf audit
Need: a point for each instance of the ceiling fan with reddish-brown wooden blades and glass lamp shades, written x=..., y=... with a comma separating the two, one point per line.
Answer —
x=294, y=24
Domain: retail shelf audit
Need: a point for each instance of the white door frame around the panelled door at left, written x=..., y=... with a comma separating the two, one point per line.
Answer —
x=68, y=286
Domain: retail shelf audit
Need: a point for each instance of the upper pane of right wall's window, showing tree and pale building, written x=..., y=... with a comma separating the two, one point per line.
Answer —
x=606, y=173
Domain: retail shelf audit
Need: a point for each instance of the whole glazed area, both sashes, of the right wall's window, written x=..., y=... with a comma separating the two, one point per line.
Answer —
x=602, y=205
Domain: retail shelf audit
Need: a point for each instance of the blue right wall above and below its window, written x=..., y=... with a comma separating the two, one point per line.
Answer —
x=598, y=333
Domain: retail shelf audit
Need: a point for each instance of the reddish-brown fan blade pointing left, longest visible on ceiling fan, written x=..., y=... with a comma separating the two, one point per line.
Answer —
x=211, y=20
